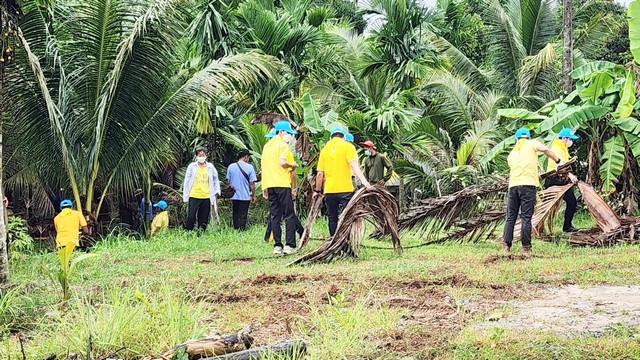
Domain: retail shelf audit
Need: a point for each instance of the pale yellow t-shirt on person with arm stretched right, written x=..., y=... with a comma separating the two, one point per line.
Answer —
x=523, y=162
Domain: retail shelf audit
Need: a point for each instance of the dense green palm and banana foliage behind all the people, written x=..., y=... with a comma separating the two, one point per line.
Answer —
x=104, y=100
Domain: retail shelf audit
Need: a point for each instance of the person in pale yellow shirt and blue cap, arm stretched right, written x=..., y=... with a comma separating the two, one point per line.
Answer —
x=523, y=184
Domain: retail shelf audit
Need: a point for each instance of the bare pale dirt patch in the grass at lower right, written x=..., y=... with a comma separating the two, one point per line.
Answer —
x=571, y=310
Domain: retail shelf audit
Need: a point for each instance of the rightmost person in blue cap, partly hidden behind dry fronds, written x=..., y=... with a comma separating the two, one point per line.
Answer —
x=560, y=147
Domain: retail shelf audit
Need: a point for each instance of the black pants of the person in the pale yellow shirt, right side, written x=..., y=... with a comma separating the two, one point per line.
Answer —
x=522, y=199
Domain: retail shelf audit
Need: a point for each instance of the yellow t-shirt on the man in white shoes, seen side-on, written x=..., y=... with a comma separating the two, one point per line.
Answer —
x=273, y=174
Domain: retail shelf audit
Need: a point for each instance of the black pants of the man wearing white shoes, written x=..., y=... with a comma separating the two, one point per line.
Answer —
x=281, y=206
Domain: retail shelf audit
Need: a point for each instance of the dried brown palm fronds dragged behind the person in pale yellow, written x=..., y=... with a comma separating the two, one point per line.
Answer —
x=471, y=214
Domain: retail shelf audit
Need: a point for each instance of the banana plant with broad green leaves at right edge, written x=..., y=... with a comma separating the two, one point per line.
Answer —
x=603, y=109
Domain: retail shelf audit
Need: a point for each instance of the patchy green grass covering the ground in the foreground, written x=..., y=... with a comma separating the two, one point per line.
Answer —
x=142, y=297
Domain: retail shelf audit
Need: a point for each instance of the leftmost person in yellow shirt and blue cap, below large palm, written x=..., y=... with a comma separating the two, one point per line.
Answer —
x=68, y=223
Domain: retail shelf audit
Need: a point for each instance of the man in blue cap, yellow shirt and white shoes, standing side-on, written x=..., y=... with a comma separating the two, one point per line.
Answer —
x=277, y=165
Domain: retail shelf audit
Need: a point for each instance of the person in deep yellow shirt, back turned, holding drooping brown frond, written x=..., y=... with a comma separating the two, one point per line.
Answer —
x=338, y=160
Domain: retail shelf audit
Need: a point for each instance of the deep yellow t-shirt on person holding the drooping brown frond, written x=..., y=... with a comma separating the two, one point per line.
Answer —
x=334, y=161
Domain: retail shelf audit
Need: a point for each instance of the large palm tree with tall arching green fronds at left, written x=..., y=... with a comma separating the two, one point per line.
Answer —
x=102, y=90
